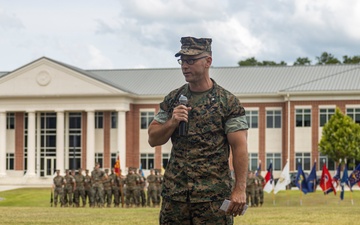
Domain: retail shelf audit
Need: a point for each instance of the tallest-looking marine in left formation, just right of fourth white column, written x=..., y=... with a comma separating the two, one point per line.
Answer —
x=97, y=185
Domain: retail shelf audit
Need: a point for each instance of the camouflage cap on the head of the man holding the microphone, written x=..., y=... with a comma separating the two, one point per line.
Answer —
x=194, y=46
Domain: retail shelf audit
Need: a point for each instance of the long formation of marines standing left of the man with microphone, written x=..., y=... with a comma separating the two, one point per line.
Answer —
x=103, y=189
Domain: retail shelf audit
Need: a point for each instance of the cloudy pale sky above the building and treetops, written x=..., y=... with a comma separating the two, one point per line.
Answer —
x=123, y=34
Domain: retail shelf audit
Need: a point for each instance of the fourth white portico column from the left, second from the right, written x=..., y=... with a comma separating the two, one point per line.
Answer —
x=90, y=141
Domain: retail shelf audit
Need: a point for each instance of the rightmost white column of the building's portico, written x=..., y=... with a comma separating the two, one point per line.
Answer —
x=121, y=137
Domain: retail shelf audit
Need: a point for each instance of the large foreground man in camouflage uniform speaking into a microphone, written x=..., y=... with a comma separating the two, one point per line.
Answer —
x=197, y=177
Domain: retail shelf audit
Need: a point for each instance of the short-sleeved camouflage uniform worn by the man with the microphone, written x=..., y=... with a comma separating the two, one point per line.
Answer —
x=197, y=177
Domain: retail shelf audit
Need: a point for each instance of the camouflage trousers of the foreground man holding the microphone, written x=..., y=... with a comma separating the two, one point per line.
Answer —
x=183, y=213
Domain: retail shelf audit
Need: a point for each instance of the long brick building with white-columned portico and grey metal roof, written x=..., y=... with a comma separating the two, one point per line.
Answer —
x=57, y=116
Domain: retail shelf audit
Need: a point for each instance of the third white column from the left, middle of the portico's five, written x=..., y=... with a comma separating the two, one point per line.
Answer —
x=60, y=128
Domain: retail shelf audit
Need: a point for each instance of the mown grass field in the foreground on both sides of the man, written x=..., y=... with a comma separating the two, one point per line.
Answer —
x=32, y=206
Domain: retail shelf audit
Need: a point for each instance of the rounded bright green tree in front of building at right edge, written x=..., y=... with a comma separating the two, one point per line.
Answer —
x=340, y=138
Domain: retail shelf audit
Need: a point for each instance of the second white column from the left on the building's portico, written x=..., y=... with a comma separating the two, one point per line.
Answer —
x=31, y=145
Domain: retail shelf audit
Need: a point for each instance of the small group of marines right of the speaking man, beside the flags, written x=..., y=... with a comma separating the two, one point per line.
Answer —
x=254, y=189
